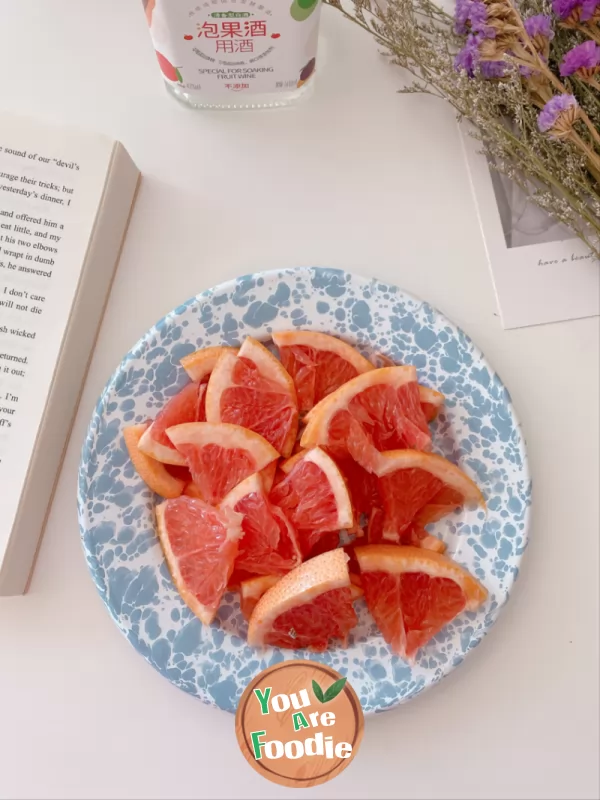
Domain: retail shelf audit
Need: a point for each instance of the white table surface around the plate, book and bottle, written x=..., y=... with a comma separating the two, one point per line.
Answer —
x=359, y=178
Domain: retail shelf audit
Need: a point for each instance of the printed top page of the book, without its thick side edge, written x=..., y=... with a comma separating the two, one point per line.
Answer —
x=51, y=183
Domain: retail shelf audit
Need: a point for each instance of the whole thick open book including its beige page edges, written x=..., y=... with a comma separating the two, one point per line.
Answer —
x=65, y=201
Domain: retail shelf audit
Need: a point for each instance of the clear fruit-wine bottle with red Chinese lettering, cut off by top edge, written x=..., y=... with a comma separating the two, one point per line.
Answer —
x=235, y=53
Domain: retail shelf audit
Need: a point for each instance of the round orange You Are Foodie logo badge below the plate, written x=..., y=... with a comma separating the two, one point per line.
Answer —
x=299, y=723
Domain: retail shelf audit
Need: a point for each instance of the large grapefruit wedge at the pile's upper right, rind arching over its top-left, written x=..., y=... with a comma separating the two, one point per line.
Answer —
x=379, y=410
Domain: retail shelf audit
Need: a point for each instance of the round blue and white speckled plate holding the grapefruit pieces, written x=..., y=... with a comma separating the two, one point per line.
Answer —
x=478, y=430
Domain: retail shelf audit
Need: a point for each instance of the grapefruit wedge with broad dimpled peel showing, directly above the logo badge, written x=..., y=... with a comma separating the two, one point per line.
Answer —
x=307, y=607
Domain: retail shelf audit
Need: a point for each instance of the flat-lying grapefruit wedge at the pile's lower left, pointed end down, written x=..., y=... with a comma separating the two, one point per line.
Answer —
x=200, y=544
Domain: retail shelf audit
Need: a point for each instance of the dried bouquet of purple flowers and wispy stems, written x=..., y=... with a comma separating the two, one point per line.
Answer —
x=524, y=72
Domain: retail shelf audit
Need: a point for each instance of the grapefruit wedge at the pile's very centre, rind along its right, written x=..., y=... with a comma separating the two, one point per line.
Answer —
x=314, y=497
